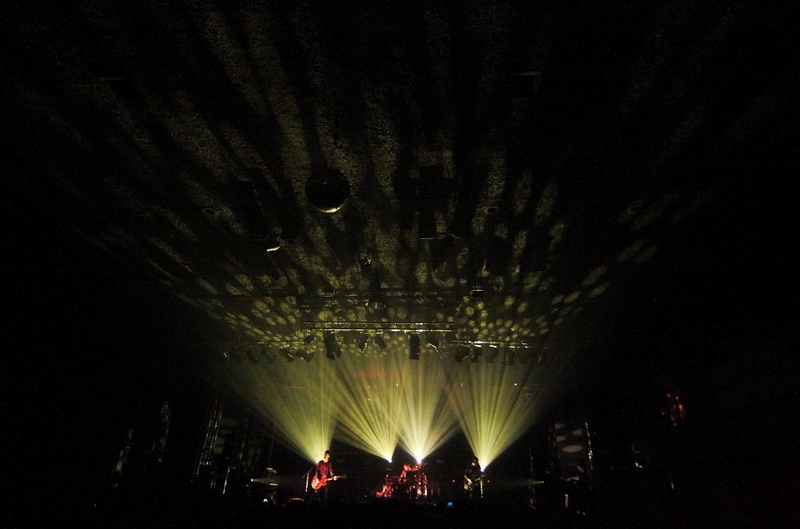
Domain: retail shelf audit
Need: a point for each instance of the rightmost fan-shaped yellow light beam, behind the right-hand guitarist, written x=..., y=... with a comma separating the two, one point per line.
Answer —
x=492, y=407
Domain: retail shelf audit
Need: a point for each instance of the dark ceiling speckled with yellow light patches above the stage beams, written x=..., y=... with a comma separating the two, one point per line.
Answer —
x=616, y=181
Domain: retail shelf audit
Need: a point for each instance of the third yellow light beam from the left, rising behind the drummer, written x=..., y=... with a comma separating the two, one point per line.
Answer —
x=426, y=423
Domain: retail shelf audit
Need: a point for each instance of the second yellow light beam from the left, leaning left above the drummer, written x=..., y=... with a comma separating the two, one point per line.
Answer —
x=369, y=404
